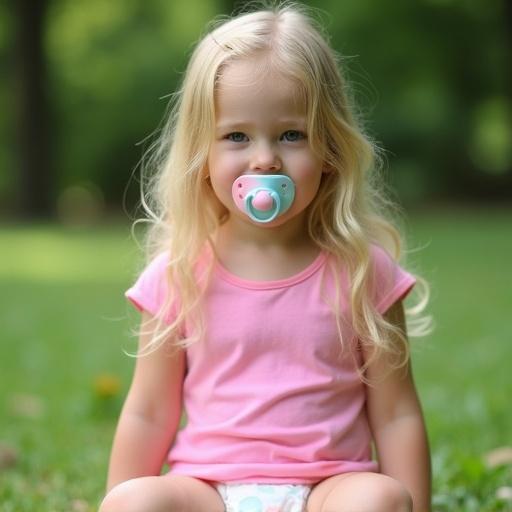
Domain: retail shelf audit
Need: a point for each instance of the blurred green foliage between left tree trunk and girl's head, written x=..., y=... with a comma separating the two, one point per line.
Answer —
x=116, y=63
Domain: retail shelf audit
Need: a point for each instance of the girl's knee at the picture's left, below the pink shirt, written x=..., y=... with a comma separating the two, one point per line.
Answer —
x=167, y=493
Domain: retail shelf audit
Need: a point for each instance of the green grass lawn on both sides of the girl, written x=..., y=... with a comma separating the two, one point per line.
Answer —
x=65, y=325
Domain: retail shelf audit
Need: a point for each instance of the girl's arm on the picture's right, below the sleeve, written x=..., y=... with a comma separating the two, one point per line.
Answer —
x=397, y=423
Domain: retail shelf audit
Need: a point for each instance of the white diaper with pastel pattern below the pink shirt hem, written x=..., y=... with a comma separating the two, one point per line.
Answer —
x=264, y=497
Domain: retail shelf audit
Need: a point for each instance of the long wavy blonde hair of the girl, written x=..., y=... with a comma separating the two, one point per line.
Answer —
x=346, y=216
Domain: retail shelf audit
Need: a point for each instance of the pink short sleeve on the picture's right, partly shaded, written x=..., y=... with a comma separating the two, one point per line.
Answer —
x=390, y=281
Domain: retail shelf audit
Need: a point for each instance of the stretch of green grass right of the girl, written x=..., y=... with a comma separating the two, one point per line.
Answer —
x=462, y=370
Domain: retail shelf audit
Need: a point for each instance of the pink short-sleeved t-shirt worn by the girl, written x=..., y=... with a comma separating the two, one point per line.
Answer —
x=269, y=392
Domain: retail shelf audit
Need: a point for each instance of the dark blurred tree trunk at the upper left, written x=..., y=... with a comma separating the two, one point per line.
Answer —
x=32, y=157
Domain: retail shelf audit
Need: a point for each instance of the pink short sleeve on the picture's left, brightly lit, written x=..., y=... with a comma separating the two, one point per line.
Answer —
x=150, y=292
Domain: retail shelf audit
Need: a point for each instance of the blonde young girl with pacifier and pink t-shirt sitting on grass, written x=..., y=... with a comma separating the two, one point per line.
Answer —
x=272, y=307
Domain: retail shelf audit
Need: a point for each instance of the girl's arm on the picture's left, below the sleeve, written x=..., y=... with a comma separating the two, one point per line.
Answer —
x=151, y=413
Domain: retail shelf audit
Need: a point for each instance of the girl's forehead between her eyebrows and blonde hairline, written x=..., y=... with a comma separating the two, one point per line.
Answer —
x=253, y=85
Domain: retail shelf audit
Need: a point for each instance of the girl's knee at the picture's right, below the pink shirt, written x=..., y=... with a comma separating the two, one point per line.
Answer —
x=359, y=492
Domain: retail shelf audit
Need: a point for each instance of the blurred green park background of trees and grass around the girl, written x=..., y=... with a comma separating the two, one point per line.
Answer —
x=84, y=87
